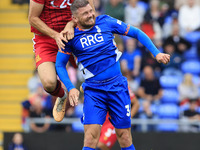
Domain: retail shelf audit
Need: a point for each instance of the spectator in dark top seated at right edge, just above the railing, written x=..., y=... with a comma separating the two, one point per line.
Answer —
x=192, y=114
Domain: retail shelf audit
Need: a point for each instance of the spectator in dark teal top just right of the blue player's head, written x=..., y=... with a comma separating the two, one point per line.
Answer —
x=115, y=8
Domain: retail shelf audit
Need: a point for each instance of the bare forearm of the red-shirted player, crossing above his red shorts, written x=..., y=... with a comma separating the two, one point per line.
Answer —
x=37, y=23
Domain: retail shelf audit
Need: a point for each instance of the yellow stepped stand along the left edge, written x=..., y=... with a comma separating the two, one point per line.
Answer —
x=16, y=59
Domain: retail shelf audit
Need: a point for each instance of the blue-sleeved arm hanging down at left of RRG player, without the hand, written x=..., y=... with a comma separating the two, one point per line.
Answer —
x=61, y=62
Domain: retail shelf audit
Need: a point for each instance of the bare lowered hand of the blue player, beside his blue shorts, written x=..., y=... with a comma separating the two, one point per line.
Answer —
x=73, y=97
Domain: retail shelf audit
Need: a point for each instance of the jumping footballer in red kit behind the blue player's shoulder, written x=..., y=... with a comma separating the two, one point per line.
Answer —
x=51, y=24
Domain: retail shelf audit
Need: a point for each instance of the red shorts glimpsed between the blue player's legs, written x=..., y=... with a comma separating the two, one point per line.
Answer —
x=108, y=135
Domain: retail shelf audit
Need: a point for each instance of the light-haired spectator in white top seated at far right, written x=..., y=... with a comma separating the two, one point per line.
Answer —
x=187, y=90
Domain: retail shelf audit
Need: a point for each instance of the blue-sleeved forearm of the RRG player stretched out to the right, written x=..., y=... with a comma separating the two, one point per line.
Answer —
x=144, y=39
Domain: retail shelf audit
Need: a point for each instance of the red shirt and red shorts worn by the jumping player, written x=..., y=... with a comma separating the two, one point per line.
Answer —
x=56, y=14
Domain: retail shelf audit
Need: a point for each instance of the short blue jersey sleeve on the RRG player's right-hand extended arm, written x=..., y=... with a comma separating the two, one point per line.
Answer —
x=117, y=26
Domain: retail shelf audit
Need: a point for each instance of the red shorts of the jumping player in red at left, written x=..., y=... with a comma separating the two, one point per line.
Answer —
x=45, y=49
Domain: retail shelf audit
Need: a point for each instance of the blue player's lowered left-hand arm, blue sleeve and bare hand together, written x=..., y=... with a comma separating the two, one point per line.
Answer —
x=61, y=61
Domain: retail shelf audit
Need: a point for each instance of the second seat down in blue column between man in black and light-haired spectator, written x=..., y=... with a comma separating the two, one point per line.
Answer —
x=170, y=96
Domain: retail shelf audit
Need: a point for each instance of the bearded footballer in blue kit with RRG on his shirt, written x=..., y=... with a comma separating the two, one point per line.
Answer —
x=105, y=89
